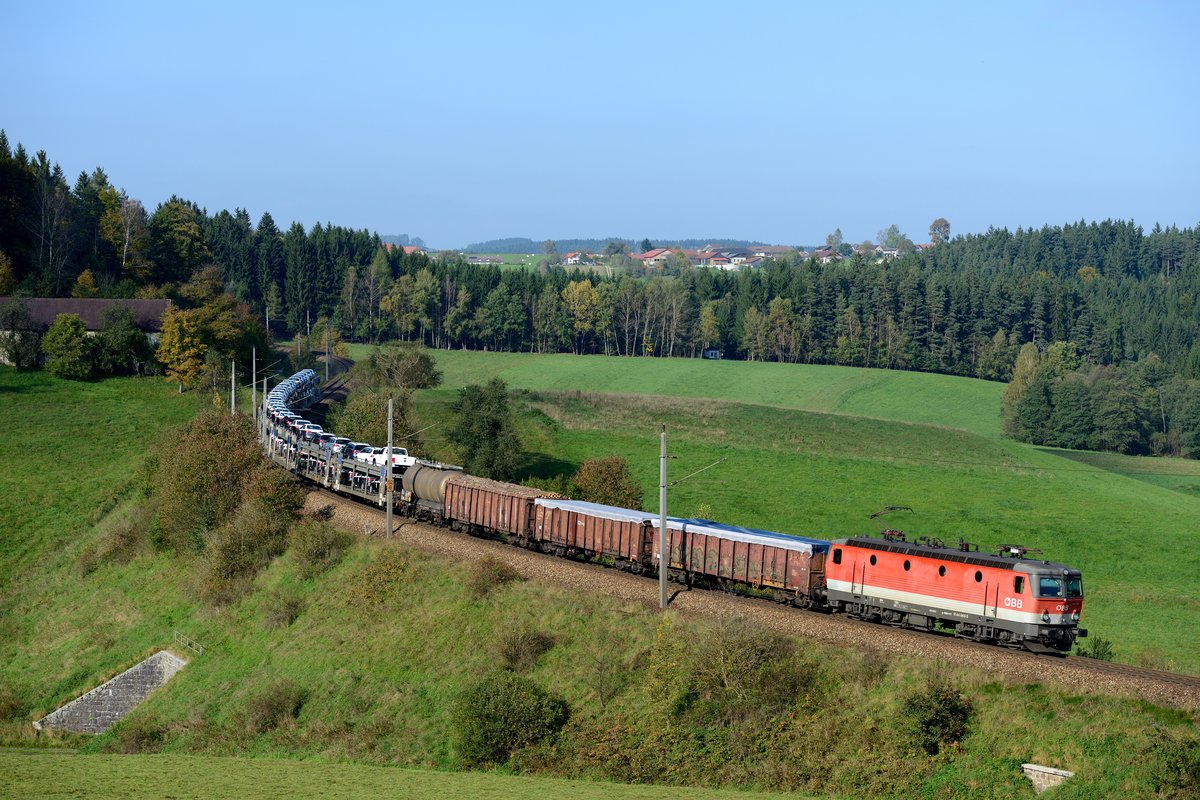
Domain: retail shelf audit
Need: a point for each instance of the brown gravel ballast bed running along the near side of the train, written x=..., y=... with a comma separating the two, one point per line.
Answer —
x=1017, y=667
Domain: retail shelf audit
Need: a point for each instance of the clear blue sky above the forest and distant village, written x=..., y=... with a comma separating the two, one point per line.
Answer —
x=777, y=122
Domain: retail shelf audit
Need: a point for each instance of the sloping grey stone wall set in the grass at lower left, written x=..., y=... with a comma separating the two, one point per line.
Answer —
x=103, y=707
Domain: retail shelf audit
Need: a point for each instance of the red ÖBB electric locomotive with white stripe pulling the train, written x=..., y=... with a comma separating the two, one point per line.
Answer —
x=1004, y=599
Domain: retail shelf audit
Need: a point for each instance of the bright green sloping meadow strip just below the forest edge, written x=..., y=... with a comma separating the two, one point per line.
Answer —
x=963, y=404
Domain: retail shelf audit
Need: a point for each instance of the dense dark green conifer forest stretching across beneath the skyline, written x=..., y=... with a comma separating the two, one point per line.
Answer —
x=1103, y=315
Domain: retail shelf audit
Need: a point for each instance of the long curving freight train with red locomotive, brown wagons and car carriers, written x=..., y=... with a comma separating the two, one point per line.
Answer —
x=1004, y=598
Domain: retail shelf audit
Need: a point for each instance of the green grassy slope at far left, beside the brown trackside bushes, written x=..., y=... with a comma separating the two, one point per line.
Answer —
x=81, y=447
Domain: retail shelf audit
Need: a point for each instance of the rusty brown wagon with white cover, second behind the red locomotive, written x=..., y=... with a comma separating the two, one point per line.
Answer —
x=580, y=528
